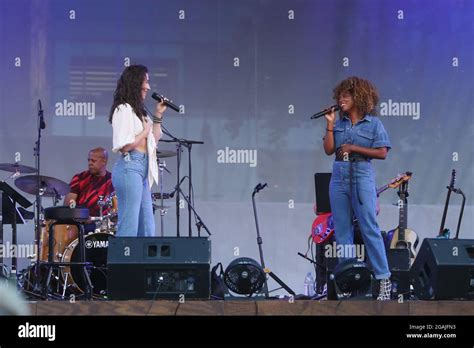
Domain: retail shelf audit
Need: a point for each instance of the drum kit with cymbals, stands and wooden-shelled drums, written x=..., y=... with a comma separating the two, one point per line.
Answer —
x=68, y=280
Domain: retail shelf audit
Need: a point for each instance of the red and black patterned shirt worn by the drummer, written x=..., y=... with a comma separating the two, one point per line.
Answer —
x=89, y=187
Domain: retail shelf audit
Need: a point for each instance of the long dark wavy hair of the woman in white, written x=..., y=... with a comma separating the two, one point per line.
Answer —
x=129, y=88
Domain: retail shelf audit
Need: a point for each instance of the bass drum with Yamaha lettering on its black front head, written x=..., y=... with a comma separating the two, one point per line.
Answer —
x=96, y=246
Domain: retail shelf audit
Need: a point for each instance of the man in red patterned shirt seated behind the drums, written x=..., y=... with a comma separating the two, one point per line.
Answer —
x=87, y=186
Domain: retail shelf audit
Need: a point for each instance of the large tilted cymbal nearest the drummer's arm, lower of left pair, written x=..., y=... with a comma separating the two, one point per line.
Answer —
x=51, y=186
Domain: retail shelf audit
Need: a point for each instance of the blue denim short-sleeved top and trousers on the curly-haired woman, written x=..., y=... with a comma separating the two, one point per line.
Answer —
x=368, y=132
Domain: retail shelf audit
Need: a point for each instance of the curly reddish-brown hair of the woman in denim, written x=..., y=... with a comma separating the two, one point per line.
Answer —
x=364, y=93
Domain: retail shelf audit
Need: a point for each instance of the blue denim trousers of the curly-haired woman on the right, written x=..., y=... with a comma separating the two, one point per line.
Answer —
x=363, y=202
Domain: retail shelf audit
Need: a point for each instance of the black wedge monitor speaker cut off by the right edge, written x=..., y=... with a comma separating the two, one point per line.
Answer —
x=444, y=270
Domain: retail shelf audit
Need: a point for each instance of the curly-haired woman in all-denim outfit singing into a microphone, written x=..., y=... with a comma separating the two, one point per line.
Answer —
x=357, y=138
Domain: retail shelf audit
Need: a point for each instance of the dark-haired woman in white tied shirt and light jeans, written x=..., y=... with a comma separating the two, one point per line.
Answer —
x=135, y=136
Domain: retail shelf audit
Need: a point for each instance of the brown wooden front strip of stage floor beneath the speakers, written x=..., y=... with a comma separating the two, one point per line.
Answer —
x=251, y=308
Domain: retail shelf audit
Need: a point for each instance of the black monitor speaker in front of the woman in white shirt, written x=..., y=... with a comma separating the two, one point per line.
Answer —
x=158, y=267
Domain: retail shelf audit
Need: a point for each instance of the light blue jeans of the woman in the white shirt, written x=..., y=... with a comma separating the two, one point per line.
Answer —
x=130, y=180
